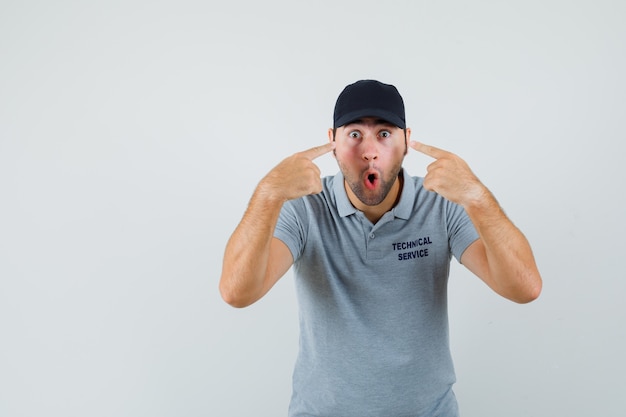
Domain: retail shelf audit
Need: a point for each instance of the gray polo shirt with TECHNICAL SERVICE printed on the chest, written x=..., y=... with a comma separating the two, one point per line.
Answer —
x=373, y=302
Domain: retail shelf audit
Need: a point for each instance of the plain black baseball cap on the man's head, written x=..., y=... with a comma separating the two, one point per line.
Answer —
x=369, y=98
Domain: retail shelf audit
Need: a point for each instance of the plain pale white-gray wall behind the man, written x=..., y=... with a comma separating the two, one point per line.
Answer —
x=132, y=134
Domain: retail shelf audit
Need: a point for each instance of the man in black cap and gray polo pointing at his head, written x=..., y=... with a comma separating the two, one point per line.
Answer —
x=371, y=249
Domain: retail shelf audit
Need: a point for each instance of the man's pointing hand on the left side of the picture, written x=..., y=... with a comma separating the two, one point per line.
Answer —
x=296, y=176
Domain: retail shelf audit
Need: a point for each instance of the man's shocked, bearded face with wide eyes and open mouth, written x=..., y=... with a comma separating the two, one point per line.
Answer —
x=370, y=152
